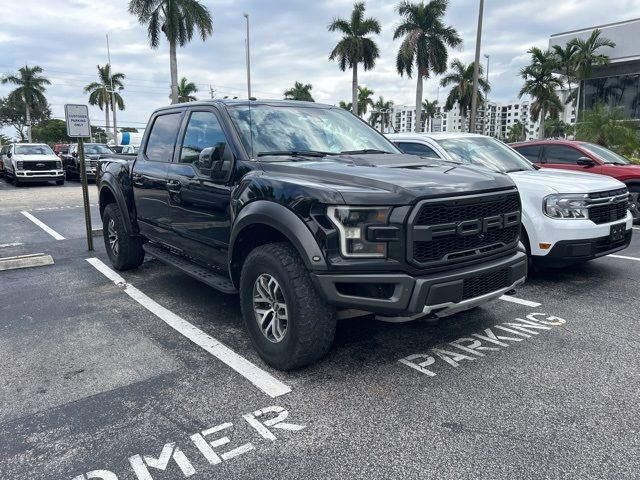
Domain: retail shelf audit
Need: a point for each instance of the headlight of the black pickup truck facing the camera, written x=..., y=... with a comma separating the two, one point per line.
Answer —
x=352, y=224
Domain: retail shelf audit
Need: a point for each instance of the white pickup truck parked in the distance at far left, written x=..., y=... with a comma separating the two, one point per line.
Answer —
x=31, y=162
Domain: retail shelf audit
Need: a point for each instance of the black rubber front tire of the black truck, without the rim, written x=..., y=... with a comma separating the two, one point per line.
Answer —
x=311, y=323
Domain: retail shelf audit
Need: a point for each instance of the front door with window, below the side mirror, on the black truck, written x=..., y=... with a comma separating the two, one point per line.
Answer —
x=199, y=203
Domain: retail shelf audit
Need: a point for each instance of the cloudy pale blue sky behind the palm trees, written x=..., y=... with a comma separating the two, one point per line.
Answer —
x=289, y=42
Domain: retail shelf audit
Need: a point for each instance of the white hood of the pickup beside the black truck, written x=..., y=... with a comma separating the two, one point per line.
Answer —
x=550, y=181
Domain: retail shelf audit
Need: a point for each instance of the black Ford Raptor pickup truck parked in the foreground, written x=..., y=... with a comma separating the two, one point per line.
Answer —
x=303, y=209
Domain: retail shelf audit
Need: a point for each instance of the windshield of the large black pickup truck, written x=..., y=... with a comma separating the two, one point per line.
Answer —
x=292, y=128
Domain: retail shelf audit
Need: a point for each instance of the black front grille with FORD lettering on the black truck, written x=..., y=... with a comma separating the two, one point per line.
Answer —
x=459, y=229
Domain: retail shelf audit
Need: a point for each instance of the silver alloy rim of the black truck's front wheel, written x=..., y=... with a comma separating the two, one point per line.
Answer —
x=270, y=308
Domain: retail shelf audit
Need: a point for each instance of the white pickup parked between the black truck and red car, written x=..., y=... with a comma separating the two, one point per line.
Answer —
x=567, y=217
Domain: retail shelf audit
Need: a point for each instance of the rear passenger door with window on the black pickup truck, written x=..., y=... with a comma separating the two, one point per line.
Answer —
x=149, y=176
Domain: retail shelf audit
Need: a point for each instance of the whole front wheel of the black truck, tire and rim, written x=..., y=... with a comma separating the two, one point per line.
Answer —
x=289, y=324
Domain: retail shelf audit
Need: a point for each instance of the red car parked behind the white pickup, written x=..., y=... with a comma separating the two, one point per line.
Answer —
x=585, y=157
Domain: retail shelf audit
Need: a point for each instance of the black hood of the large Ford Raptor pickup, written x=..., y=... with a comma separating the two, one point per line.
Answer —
x=387, y=179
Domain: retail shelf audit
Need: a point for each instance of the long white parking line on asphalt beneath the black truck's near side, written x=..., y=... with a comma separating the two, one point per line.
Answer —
x=260, y=378
